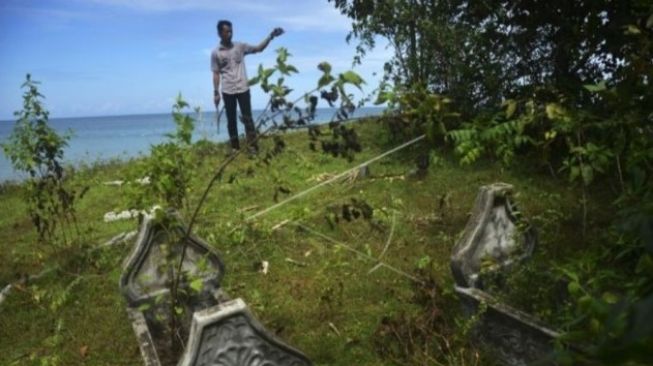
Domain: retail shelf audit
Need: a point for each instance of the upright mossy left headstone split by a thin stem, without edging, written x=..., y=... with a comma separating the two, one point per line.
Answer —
x=149, y=268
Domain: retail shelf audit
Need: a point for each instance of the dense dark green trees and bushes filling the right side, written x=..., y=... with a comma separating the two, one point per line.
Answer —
x=565, y=85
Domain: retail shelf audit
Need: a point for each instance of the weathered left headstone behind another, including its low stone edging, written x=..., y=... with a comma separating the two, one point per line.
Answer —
x=149, y=270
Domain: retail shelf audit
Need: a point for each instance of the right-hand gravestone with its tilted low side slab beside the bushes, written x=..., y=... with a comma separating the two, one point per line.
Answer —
x=495, y=238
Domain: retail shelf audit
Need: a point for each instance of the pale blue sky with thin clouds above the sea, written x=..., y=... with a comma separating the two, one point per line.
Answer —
x=112, y=57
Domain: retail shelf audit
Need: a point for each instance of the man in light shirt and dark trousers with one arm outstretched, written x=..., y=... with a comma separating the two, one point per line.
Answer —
x=228, y=66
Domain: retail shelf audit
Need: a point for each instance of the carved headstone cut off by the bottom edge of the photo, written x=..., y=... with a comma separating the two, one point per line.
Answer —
x=229, y=335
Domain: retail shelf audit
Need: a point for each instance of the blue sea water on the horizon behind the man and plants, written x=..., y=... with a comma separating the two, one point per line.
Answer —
x=122, y=137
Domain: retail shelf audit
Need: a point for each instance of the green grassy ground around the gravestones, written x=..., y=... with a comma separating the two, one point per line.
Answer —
x=318, y=296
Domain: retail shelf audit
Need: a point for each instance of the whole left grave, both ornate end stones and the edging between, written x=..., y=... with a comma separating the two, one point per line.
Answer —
x=221, y=332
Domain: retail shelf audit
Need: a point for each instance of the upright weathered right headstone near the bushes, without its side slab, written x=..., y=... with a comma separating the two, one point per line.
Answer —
x=493, y=234
